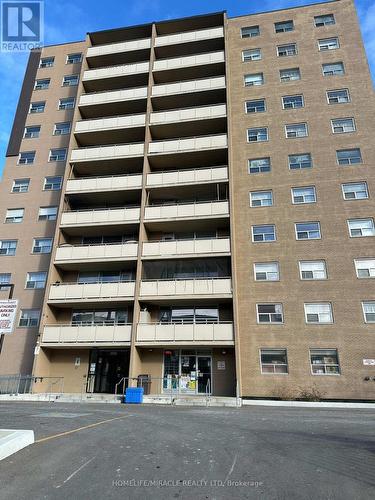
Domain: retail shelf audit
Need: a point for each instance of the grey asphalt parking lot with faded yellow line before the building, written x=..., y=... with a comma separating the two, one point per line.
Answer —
x=97, y=451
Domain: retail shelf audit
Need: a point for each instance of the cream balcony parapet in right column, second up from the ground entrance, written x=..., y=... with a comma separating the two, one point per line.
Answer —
x=182, y=288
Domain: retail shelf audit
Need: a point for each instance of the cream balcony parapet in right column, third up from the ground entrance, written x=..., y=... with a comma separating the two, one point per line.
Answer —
x=186, y=248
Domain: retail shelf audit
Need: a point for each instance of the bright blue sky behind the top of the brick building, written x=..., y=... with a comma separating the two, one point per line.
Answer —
x=68, y=20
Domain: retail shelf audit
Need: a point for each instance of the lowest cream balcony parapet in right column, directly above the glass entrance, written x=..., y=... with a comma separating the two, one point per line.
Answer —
x=191, y=333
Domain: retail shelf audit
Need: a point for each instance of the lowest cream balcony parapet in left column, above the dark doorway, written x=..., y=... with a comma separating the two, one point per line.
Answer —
x=86, y=335
